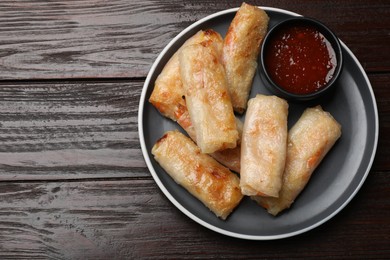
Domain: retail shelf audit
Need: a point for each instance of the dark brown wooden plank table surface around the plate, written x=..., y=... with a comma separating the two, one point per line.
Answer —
x=73, y=181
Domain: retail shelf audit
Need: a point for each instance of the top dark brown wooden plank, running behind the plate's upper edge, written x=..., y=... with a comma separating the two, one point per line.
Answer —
x=122, y=38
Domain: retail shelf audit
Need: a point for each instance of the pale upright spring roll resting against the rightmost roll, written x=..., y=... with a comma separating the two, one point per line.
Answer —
x=263, y=146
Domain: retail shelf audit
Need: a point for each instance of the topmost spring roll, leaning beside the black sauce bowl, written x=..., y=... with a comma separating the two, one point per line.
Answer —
x=240, y=52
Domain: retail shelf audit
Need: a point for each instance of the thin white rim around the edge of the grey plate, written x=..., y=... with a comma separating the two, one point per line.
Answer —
x=187, y=212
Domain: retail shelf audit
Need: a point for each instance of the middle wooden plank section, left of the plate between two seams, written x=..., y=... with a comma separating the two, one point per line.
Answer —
x=52, y=130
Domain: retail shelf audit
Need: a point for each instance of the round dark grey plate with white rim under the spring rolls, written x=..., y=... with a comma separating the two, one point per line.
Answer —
x=333, y=184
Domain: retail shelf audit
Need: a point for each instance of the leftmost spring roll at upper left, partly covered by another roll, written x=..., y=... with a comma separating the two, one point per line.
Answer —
x=168, y=92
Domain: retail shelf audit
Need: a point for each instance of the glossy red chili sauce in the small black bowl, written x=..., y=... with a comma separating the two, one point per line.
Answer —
x=300, y=59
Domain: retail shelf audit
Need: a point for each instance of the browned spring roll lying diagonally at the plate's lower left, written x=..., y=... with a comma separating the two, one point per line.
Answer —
x=210, y=182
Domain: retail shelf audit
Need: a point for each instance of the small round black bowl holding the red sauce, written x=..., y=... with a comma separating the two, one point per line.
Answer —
x=329, y=36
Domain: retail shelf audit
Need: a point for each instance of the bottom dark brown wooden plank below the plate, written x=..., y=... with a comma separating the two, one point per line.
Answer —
x=133, y=219
